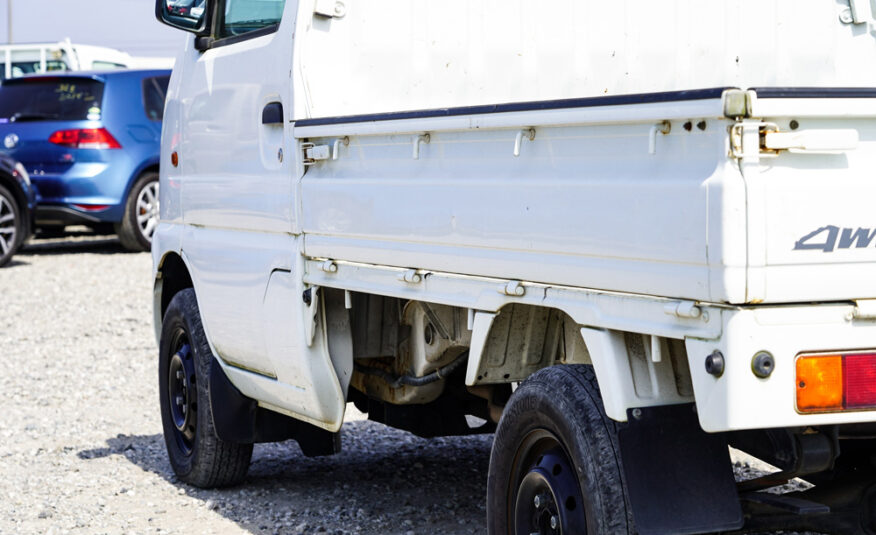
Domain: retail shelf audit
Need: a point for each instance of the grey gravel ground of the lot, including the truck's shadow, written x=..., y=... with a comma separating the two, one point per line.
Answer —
x=81, y=449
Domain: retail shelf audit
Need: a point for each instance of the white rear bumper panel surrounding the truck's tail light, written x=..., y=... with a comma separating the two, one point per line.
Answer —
x=739, y=399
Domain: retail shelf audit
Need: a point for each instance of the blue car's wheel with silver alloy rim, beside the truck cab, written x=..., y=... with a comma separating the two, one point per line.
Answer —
x=141, y=214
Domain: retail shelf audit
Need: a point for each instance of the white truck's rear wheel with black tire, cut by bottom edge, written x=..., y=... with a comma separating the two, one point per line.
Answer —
x=555, y=464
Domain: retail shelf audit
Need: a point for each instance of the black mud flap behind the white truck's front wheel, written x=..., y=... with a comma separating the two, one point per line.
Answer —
x=237, y=418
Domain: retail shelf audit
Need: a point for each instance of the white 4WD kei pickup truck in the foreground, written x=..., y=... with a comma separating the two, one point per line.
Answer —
x=621, y=235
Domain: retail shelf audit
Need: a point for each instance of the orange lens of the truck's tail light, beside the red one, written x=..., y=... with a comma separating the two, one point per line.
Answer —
x=820, y=383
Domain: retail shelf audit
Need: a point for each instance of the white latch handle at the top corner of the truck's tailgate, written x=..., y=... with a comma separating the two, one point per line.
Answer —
x=756, y=139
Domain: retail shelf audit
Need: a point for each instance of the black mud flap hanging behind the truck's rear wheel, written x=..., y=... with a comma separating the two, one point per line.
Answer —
x=679, y=478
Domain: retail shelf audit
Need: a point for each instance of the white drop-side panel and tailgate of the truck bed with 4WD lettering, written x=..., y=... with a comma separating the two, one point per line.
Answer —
x=587, y=204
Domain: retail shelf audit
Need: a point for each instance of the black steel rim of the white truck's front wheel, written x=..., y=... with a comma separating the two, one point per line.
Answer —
x=183, y=396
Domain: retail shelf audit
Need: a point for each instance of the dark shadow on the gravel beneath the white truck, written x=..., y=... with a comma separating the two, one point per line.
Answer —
x=385, y=481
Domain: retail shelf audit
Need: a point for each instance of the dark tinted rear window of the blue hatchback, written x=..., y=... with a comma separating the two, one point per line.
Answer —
x=51, y=99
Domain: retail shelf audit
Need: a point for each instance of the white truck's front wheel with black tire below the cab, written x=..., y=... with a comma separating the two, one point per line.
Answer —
x=198, y=456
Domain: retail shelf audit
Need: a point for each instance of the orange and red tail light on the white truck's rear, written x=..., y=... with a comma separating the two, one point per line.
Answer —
x=838, y=382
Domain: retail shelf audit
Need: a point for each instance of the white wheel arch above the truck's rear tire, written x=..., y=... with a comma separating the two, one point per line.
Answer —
x=519, y=340
